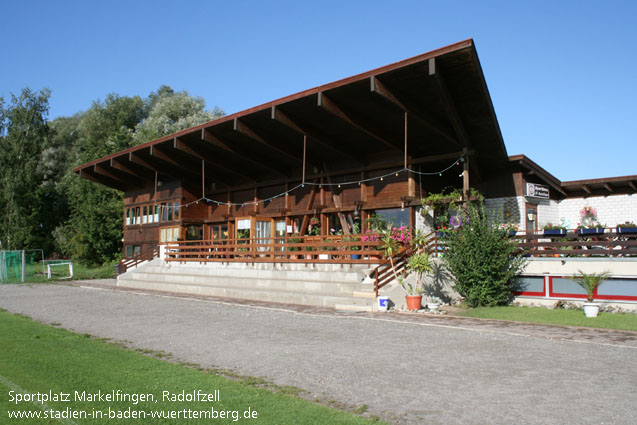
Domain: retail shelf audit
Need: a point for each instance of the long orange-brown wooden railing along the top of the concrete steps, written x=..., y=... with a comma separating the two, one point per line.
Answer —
x=296, y=249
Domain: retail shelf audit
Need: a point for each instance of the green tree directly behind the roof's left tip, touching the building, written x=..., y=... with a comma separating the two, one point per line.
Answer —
x=93, y=232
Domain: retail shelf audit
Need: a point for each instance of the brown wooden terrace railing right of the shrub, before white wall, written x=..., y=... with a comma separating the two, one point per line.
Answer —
x=573, y=244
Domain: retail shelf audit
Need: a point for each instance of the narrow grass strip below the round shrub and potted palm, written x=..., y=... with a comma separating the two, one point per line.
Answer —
x=554, y=316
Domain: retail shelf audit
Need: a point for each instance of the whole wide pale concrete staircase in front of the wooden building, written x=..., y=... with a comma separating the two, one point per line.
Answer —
x=324, y=285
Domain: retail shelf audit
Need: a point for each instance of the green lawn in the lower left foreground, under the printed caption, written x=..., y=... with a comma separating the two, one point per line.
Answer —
x=38, y=358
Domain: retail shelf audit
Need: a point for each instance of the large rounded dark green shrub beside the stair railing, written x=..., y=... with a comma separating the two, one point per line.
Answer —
x=482, y=259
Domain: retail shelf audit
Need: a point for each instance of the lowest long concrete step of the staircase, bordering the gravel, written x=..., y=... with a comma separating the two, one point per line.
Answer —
x=258, y=294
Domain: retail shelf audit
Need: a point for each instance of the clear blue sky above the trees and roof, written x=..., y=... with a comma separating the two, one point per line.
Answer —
x=562, y=74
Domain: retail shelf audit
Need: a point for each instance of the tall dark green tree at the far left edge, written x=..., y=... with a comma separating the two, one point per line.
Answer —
x=25, y=198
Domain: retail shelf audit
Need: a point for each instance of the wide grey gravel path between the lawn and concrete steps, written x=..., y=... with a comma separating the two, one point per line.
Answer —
x=409, y=369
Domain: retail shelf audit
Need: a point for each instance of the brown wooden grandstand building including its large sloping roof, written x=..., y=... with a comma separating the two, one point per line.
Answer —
x=333, y=155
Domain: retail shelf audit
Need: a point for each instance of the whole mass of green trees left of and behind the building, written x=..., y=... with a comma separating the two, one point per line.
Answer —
x=43, y=203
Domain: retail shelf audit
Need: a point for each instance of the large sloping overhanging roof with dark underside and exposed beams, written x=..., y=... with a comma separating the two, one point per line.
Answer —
x=348, y=125
